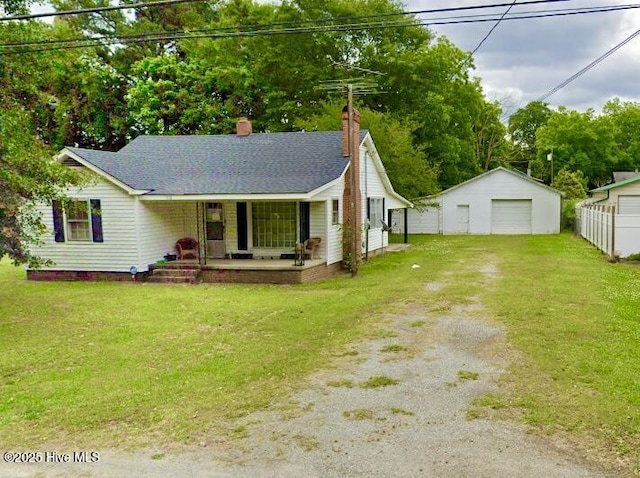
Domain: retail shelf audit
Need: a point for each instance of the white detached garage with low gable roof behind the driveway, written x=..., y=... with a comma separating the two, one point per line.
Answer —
x=499, y=201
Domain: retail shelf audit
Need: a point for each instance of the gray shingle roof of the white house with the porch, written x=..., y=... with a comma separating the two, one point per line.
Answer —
x=261, y=163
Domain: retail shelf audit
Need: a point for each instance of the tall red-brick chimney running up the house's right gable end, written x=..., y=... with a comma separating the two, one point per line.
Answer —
x=348, y=193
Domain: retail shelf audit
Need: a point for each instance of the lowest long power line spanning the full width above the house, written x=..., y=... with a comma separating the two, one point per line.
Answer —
x=247, y=31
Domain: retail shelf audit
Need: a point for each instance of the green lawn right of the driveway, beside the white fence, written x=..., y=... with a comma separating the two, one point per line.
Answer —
x=574, y=320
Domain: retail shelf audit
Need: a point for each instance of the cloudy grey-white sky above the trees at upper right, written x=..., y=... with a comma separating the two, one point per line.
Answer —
x=524, y=59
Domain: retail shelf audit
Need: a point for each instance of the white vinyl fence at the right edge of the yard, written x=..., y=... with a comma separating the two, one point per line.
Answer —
x=616, y=235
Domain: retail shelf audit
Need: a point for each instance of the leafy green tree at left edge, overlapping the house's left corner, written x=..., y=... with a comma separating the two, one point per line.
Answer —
x=28, y=174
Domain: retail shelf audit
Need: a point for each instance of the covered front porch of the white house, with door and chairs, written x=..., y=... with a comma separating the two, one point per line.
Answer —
x=230, y=230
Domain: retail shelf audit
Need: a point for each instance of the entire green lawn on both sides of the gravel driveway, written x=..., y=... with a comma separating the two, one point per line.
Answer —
x=98, y=363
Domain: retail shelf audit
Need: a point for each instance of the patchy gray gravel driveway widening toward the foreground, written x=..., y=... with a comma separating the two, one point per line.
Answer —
x=430, y=364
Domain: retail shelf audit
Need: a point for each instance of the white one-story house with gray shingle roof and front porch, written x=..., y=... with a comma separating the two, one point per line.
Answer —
x=247, y=199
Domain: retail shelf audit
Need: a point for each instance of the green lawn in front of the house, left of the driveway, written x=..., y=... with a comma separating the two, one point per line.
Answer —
x=94, y=363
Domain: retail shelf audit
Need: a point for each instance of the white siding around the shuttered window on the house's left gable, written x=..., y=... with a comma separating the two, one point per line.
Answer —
x=117, y=253
